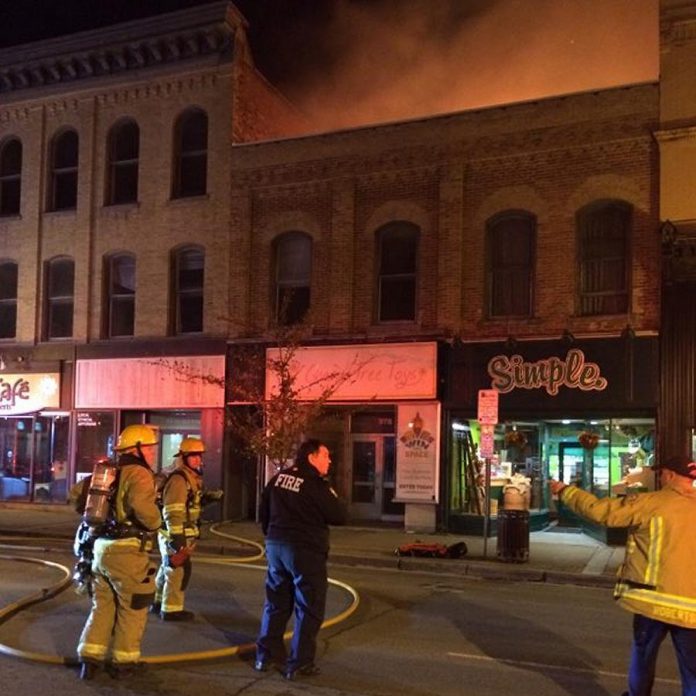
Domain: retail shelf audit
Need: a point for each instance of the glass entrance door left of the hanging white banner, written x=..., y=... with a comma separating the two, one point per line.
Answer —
x=373, y=468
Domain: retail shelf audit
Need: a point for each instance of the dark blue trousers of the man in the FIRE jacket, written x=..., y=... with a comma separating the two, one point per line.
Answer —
x=296, y=579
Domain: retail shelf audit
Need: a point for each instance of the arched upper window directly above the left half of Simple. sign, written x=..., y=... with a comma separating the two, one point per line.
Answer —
x=510, y=250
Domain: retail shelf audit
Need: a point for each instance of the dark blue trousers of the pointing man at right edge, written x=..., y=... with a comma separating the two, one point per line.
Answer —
x=648, y=635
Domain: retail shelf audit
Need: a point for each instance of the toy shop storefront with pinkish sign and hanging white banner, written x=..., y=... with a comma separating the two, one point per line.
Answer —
x=381, y=423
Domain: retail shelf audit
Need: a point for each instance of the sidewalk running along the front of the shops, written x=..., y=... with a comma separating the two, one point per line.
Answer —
x=554, y=556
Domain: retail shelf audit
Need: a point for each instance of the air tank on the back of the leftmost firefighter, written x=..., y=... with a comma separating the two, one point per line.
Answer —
x=96, y=514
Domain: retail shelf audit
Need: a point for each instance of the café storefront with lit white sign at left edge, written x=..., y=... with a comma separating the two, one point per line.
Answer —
x=34, y=435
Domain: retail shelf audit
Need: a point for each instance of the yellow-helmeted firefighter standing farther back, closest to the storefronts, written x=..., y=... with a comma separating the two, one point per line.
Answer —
x=182, y=499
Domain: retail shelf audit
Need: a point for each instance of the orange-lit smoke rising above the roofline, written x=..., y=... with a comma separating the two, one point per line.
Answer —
x=383, y=60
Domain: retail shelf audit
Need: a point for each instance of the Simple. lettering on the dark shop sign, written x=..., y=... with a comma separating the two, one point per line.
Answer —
x=575, y=372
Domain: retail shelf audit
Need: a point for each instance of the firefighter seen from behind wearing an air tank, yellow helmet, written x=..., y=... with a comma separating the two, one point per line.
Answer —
x=123, y=579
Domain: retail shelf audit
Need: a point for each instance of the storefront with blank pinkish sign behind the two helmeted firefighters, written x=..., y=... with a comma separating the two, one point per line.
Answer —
x=181, y=396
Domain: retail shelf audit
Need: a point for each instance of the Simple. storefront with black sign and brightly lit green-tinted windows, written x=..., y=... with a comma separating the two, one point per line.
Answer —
x=582, y=411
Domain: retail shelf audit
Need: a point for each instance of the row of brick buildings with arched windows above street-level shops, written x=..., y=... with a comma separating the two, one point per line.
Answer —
x=515, y=247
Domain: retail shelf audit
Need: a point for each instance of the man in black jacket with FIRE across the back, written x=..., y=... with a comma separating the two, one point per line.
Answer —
x=297, y=506
